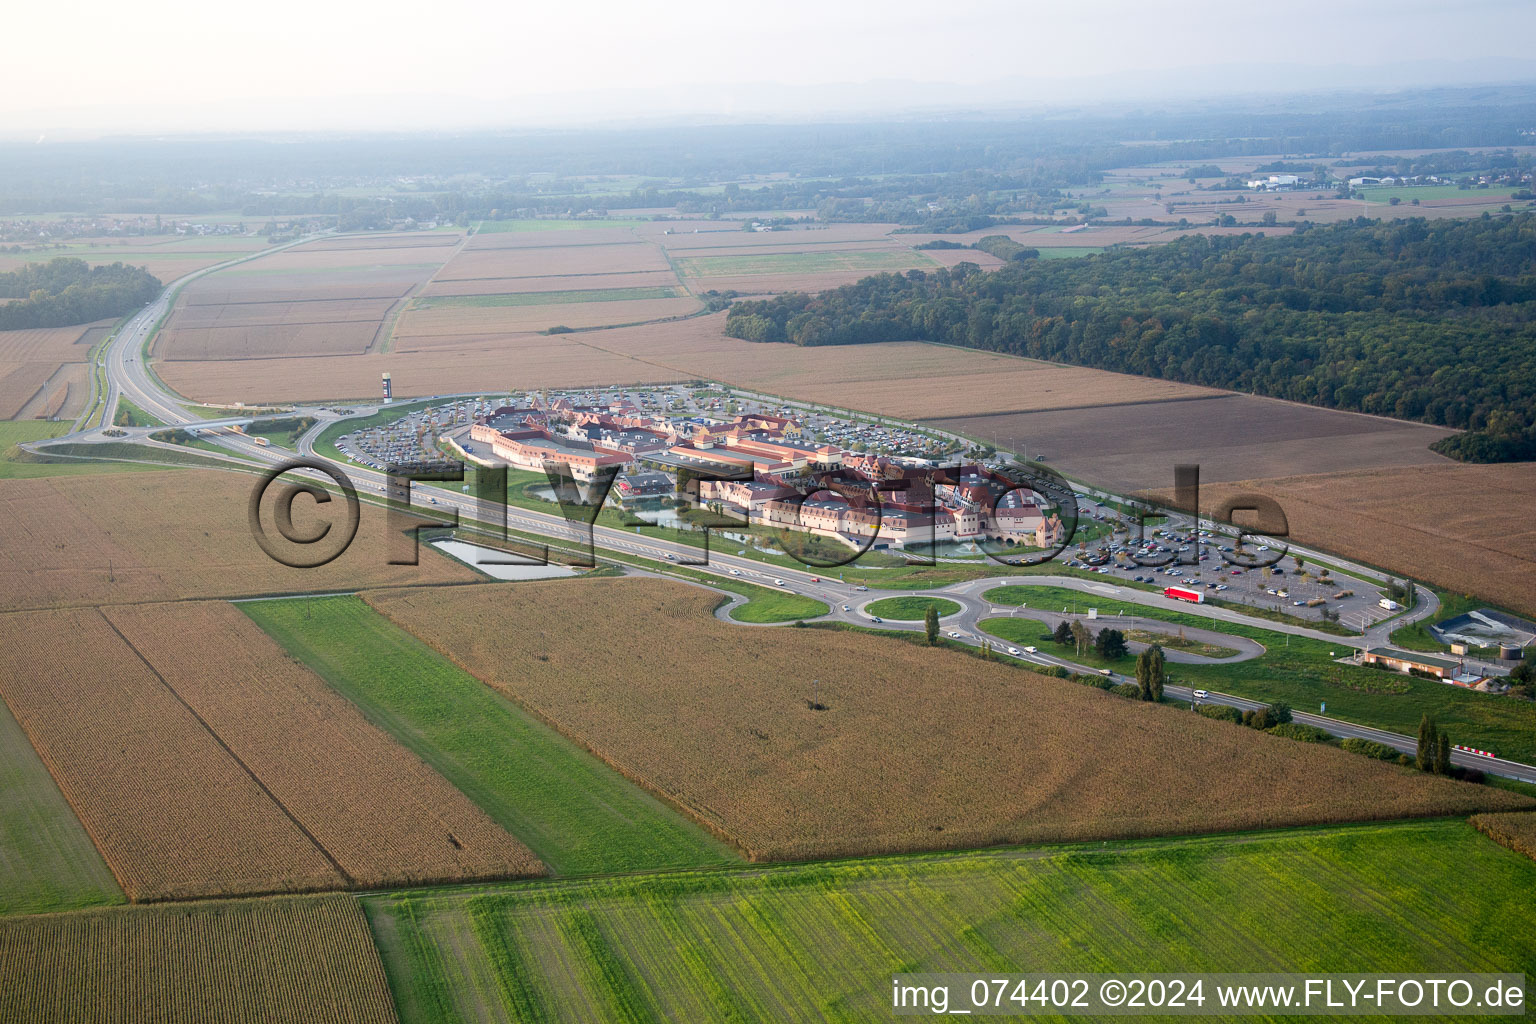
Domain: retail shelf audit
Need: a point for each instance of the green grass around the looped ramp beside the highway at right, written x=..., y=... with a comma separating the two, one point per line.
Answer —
x=1303, y=673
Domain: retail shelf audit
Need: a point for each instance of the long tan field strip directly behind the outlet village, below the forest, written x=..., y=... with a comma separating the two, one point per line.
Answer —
x=872, y=378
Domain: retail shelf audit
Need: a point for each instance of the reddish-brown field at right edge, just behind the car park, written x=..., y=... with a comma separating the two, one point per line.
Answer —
x=1466, y=529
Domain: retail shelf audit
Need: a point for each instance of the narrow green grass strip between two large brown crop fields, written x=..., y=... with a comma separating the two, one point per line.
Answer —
x=574, y=811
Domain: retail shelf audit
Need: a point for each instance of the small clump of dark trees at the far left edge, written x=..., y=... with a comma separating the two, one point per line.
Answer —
x=68, y=291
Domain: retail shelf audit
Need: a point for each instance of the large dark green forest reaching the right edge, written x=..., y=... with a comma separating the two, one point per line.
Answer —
x=1420, y=320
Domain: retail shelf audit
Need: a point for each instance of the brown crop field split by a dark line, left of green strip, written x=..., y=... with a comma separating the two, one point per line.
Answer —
x=204, y=762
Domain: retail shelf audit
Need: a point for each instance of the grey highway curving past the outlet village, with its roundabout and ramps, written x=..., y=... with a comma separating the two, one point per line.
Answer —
x=130, y=378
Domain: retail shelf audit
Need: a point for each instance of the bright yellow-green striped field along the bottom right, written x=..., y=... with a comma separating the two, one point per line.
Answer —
x=821, y=942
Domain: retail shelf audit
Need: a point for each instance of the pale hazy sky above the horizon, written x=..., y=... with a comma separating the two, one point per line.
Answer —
x=91, y=67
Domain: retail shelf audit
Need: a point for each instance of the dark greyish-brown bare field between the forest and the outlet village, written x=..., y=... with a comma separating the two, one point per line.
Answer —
x=1134, y=446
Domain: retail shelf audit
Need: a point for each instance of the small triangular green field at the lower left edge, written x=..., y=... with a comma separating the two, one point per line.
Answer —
x=47, y=859
